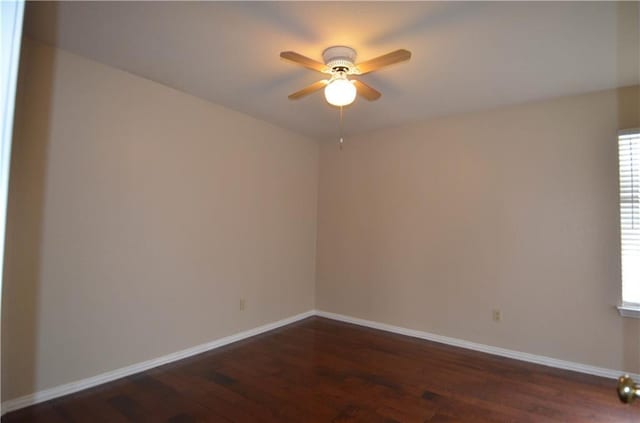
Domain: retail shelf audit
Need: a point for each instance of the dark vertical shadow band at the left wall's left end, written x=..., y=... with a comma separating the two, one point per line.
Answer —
x=26, y=203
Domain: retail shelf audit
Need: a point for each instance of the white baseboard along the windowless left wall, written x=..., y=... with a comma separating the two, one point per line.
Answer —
x=69, y=388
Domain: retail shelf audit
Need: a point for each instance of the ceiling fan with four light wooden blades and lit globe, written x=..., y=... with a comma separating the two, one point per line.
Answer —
x=339, y=63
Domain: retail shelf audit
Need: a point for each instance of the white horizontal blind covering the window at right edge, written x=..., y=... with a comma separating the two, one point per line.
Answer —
x=629, y=158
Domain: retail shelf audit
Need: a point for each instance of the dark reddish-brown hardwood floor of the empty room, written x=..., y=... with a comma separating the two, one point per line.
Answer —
x=319, y=370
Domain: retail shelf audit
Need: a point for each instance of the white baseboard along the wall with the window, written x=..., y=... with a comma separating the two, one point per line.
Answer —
x=531, y=358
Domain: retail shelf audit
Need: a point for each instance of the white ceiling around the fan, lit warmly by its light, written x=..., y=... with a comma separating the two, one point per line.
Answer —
x=466, y=55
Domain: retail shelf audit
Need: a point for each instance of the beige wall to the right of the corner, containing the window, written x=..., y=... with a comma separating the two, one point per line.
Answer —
x=432, y=225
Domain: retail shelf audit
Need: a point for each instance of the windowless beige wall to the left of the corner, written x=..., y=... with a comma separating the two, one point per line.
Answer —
x=139, y=216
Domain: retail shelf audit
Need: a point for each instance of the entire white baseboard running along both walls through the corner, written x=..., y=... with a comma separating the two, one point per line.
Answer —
x=79, y=385
